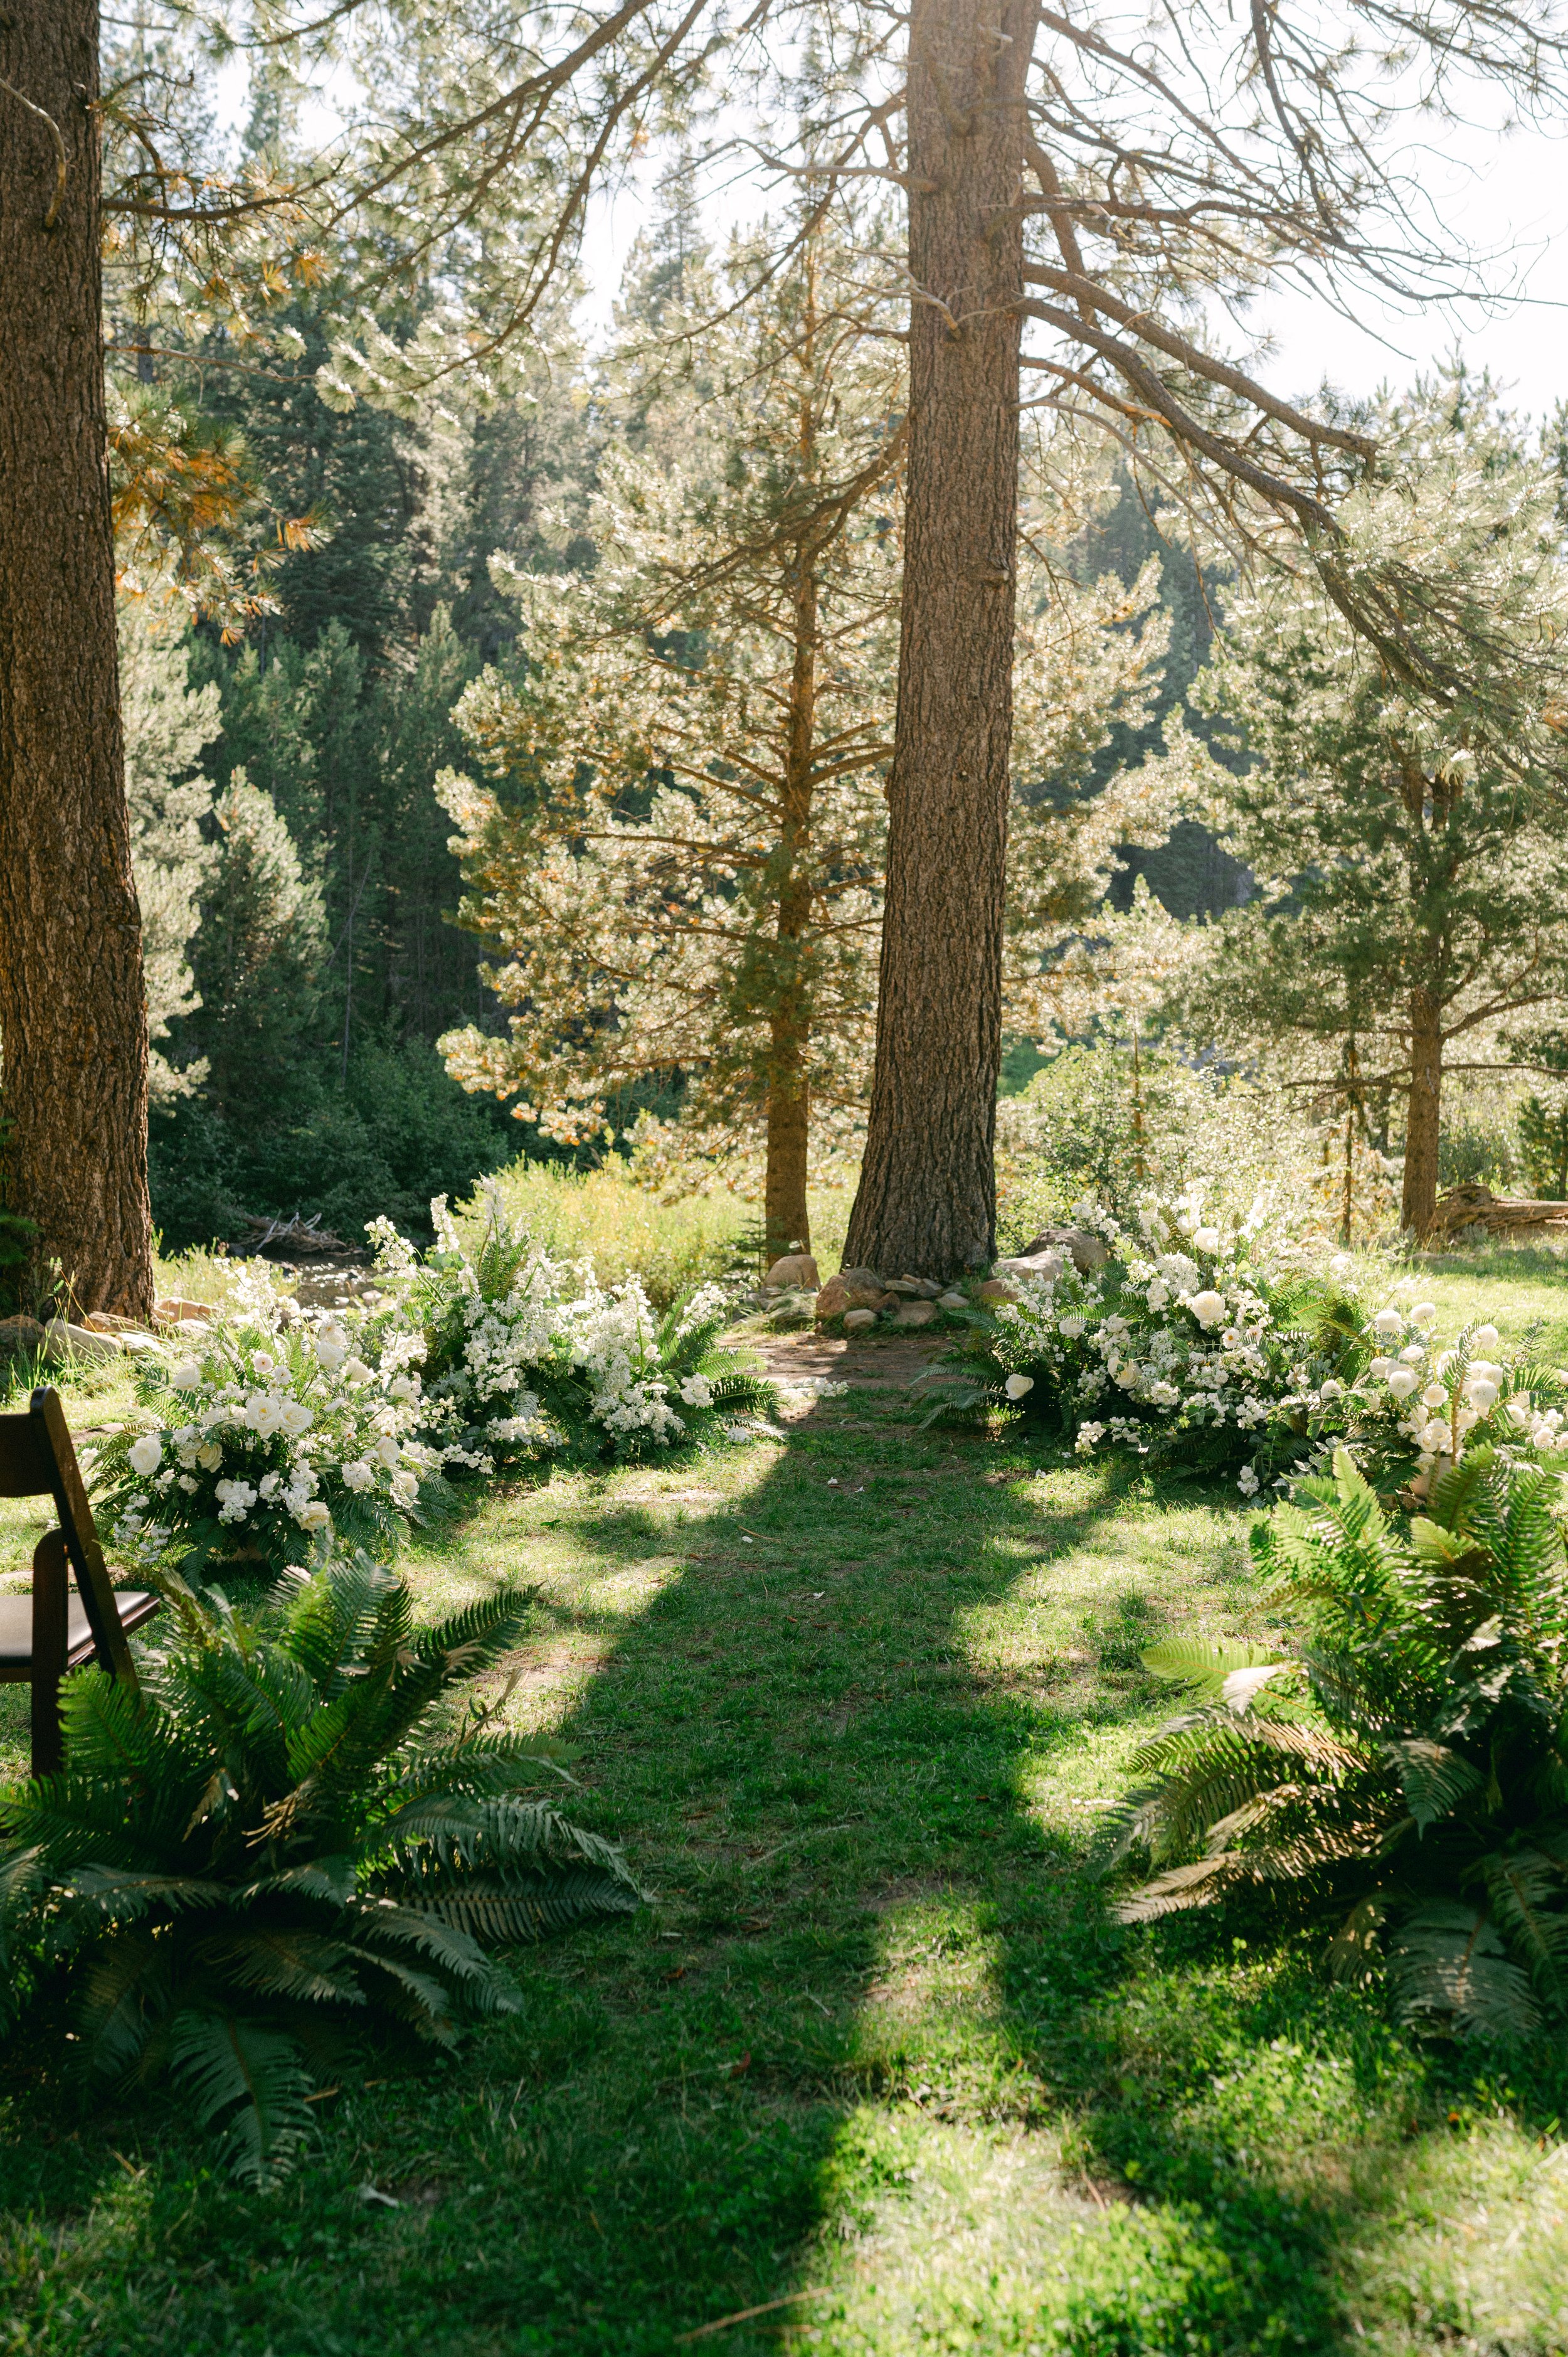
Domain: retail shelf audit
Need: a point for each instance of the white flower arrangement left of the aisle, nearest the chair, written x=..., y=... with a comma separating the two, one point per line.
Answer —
x=275, y=1430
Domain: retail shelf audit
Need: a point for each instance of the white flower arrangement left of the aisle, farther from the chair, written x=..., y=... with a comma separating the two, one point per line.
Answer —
x=532, y=1356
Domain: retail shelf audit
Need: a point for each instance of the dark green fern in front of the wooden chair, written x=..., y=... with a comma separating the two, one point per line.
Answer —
x=277, y=1847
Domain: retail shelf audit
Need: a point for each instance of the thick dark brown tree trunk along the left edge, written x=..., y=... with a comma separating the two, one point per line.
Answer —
x=72, y=1001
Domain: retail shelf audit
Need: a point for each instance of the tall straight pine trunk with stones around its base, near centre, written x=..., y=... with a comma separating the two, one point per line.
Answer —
x=928, y=1184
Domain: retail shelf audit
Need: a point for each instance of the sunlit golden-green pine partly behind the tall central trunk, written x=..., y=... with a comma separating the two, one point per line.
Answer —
x=683, y=857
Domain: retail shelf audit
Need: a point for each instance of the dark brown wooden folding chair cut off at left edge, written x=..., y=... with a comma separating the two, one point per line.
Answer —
x=60, y=1628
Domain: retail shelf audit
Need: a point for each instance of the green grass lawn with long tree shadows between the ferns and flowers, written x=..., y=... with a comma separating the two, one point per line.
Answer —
x=871, y=2064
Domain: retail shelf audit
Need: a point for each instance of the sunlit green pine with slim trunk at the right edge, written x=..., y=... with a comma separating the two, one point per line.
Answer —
x=1411, y=845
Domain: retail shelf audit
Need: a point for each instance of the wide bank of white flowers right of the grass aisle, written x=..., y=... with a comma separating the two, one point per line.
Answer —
x=1213, y=1345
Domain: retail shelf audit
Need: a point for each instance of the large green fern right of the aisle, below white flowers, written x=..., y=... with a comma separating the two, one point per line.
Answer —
x=1409, y=1764
